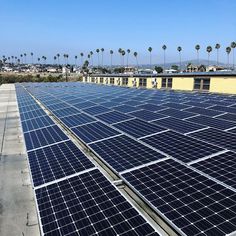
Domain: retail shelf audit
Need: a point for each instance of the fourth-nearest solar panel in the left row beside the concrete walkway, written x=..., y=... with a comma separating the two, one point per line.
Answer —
x=36, y=123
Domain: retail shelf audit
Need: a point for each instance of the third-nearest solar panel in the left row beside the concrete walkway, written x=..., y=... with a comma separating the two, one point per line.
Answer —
x=43, y=137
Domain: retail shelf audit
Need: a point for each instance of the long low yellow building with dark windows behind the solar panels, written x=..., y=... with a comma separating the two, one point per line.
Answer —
x=215, y=82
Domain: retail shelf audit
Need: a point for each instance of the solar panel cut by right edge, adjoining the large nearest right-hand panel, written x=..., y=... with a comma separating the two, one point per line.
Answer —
x=221, y=167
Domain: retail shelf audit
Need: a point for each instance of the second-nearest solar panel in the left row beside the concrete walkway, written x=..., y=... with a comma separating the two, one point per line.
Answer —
x=56, y=161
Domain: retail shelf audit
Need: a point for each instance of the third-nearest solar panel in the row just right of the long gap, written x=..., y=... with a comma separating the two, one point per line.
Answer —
x=94, y=132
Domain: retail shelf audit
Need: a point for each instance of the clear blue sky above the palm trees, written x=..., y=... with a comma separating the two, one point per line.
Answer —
x=48, y=27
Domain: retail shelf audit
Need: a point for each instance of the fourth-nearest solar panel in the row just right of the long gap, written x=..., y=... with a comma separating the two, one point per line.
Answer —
x=76, y=120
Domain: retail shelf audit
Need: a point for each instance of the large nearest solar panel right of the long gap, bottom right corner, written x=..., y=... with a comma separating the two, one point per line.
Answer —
x=192, y=203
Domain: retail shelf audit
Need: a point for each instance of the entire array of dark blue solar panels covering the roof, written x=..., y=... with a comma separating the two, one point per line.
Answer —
x=175, y=150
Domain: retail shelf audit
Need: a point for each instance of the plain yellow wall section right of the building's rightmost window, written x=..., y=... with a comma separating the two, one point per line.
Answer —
x=223, y=85
